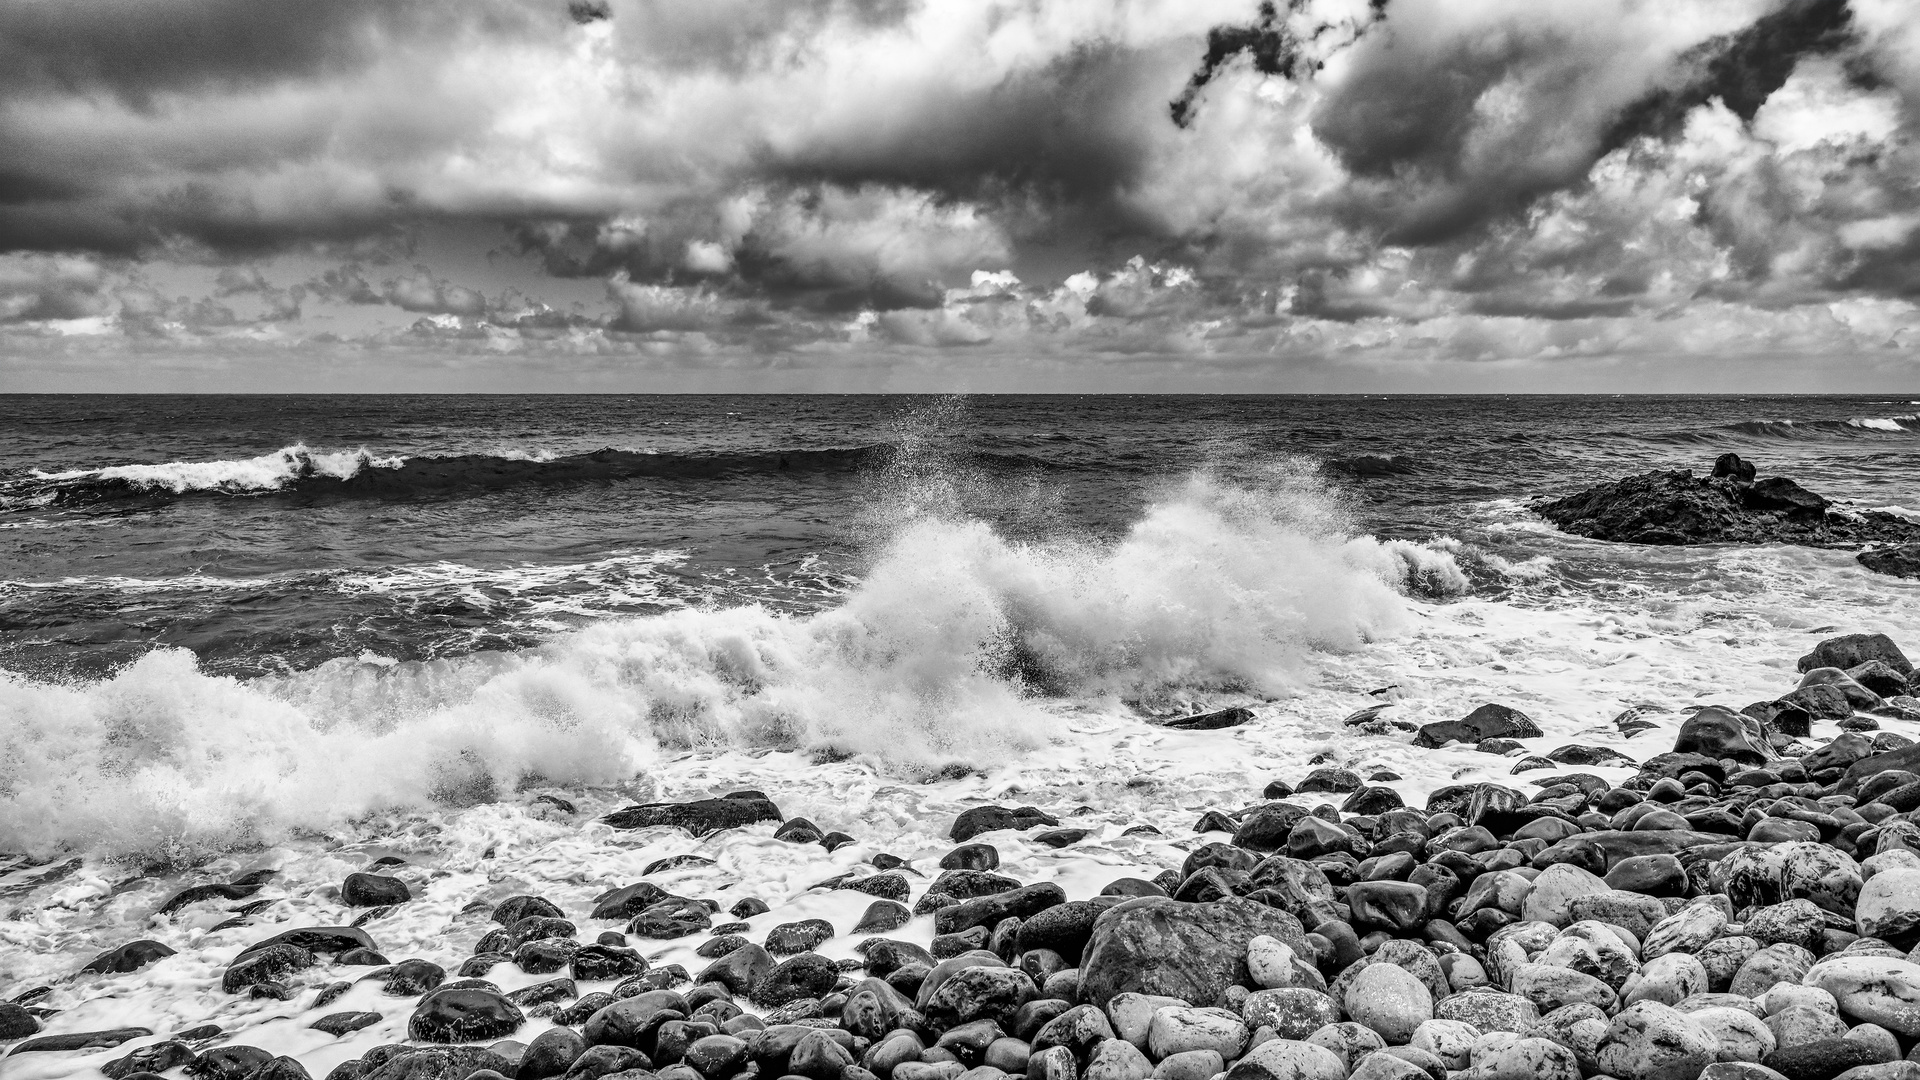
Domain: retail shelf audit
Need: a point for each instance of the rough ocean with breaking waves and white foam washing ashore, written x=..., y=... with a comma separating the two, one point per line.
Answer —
x=310, y=633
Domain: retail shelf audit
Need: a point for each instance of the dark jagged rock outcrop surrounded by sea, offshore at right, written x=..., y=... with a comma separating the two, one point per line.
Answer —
x=1733, y=506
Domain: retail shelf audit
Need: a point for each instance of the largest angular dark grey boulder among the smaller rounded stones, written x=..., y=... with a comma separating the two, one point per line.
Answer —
x=1182, y=950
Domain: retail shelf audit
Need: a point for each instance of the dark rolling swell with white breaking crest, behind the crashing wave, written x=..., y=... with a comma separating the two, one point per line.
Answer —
x=358, y=474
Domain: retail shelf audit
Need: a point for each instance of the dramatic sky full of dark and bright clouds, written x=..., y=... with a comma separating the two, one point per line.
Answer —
x=961, y=195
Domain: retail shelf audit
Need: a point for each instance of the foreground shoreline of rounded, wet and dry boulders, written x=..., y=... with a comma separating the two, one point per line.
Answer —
x=1746, y=906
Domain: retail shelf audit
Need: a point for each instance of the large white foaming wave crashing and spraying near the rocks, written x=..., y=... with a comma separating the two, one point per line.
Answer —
x=955, y=647
